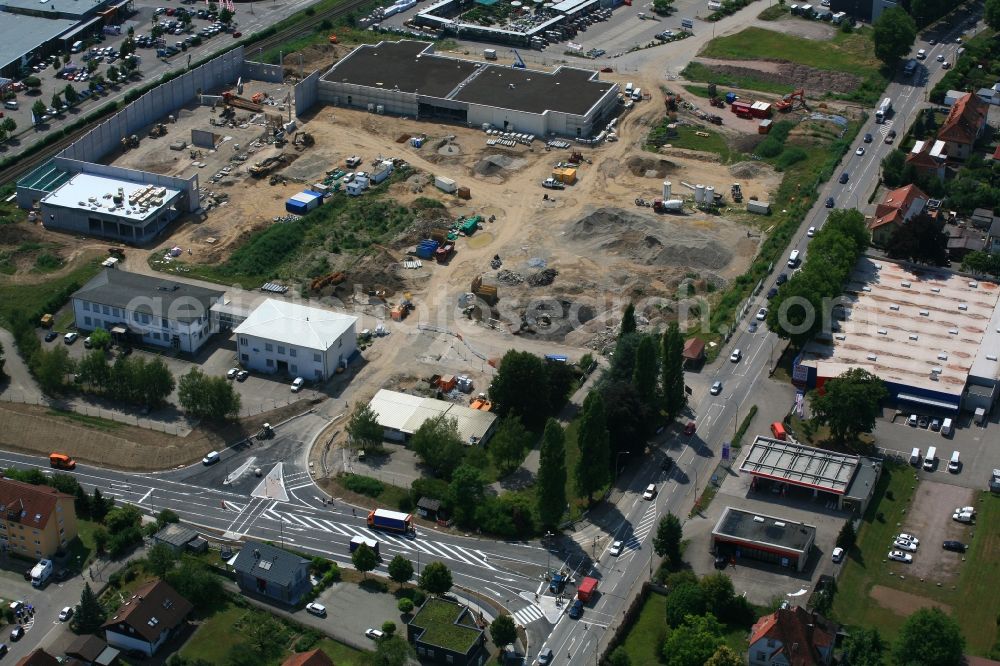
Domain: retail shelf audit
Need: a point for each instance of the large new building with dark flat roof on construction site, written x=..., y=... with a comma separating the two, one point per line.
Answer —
x=407, y=78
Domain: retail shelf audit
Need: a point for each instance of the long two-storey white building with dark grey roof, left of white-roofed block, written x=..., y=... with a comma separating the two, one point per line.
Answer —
x=148, y=310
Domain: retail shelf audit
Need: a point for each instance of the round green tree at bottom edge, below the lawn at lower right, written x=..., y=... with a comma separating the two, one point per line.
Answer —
x=929, y=637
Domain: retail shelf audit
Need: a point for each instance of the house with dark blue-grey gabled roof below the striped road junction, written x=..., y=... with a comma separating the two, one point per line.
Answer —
x=267, y=571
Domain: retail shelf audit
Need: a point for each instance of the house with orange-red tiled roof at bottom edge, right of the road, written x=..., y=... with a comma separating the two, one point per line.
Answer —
x=792, y=637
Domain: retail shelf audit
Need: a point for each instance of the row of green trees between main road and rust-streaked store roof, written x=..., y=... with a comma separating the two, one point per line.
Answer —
x=803, y=305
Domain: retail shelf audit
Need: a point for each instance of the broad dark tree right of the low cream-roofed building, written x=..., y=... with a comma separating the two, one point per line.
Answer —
x=521, y=385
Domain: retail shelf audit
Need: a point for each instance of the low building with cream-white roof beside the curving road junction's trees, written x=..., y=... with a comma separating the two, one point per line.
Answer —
x=401, y=414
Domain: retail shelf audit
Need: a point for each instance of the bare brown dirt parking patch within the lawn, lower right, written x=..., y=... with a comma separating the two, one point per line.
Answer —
x=930, y=521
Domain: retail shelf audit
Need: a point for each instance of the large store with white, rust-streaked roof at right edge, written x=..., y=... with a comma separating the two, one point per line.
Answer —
x=932, y=336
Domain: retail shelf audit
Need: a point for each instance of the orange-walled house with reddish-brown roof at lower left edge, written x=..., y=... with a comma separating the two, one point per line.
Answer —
x=35, y=521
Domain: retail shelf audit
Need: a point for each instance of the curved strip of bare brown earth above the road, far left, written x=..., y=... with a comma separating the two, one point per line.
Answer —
x=134, y=448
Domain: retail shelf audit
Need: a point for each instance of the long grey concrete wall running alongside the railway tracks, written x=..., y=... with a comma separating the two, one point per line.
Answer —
x=156, y=104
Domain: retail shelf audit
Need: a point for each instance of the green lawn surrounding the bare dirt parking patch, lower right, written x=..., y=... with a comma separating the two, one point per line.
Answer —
x=973, y=599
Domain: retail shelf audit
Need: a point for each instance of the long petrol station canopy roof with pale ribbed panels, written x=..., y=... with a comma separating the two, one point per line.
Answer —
x=799, y=465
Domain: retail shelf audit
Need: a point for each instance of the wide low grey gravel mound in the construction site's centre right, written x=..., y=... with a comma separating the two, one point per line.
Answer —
x=651, y=240
